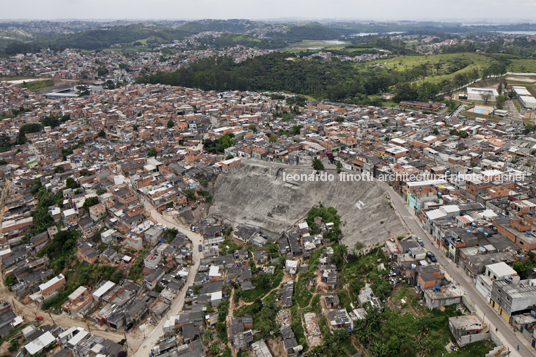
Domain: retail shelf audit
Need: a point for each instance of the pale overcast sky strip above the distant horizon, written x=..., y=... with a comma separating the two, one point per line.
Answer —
x=472, y=10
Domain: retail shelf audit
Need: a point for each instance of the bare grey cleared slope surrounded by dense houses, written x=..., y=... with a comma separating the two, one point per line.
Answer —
x=256, y=195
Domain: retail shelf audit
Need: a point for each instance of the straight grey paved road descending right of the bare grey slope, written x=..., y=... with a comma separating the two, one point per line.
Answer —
x=507, y=335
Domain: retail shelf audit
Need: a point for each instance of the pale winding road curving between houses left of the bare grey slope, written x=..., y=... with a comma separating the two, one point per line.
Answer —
x=152, y=339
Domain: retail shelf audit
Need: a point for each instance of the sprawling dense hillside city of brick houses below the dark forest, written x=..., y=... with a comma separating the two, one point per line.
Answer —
x=148, y=219
